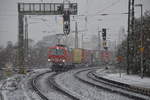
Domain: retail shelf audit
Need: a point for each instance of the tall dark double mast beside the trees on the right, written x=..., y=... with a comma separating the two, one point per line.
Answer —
x=131, y=37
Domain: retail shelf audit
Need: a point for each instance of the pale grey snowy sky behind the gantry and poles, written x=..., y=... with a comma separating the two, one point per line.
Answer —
x=53, y=24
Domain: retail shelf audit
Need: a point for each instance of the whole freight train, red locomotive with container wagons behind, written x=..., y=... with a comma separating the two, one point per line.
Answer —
x=64, y=58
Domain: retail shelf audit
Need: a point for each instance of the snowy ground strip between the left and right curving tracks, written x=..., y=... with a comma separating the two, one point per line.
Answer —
x=84, y=91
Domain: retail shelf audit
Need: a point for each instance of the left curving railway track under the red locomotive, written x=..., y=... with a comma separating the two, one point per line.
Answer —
x=53, y=84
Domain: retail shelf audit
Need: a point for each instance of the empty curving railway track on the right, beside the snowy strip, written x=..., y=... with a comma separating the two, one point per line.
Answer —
x=108, y=85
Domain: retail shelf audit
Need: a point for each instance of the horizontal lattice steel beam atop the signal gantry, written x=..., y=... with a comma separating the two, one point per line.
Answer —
x=45, y=8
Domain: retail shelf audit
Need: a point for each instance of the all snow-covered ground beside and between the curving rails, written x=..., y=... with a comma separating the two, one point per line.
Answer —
x=18, y=87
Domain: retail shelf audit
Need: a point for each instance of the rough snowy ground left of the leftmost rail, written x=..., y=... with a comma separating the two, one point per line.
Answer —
x=15, y=87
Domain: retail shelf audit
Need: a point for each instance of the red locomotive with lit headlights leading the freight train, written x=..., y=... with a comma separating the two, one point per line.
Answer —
x=60, y=57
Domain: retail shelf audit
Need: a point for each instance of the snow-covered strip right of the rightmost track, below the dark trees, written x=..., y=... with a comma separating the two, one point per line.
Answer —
x=134, y=80
